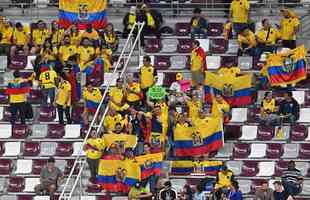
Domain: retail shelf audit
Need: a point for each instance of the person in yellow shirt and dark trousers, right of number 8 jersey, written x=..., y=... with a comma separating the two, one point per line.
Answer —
x=63, y=100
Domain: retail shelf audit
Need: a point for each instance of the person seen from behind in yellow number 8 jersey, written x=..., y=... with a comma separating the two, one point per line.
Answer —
x=48, y=82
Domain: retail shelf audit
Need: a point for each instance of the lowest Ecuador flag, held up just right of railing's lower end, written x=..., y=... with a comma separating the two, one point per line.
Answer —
x=118, y=175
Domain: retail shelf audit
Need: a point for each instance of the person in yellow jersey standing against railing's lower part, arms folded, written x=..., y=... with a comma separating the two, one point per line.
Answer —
x=93, y=148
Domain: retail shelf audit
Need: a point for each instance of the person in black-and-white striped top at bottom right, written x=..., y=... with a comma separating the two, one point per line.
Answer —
x=292, y=179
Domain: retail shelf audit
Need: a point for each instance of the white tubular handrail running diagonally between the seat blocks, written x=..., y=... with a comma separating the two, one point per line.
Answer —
x=79, y=159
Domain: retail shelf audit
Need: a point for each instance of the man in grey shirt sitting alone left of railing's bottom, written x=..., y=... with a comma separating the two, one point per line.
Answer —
x=50, y=178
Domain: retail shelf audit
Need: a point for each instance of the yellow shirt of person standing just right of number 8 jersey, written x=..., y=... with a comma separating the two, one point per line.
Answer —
x=64, y=94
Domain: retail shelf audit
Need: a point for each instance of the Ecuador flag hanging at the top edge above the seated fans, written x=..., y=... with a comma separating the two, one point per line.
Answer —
x=83, y=12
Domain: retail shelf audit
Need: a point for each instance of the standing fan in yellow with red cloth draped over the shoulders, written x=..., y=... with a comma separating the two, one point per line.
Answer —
x=198, y=64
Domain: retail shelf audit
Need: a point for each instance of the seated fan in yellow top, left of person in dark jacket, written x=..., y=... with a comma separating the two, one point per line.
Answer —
x=268, y=114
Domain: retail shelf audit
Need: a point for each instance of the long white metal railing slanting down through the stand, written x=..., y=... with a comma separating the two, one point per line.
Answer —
x=80, y=162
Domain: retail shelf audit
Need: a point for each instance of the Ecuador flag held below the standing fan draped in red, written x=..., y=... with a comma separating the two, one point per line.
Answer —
x=237, y=91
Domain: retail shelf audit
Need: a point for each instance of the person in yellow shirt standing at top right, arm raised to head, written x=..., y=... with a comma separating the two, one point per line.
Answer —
x=289, y=25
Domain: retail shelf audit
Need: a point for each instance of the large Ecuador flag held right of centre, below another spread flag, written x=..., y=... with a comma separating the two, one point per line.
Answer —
x=191, y=143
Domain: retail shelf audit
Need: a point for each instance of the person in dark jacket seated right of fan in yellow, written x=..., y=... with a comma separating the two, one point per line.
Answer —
x=289, y=108
